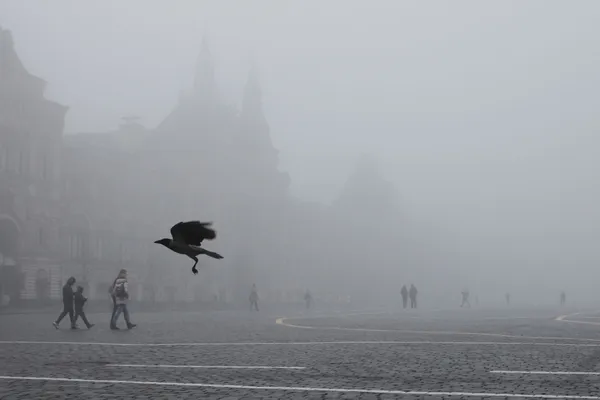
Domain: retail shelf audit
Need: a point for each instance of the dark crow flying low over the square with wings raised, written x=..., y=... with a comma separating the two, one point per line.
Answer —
x=187, y=239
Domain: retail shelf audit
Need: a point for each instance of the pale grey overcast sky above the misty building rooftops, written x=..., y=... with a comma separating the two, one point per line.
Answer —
x=484, y=114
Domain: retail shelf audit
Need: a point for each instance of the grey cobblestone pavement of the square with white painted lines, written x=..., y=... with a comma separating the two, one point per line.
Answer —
x=422, y=354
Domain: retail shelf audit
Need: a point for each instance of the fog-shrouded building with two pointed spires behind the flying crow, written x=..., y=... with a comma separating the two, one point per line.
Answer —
x=205, y=161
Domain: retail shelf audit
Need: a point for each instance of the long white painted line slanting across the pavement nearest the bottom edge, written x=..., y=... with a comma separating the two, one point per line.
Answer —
x=300, y=389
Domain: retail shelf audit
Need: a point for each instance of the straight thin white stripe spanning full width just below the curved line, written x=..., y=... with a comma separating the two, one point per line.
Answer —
x=339, y=343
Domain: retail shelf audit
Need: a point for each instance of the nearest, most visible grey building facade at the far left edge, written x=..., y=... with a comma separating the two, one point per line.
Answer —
x=31, y=128
